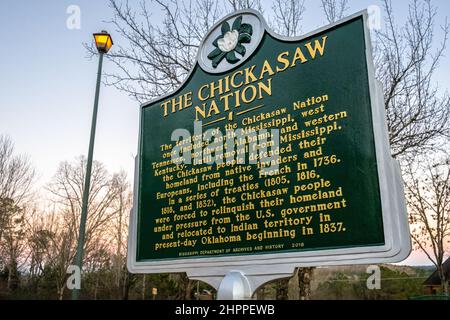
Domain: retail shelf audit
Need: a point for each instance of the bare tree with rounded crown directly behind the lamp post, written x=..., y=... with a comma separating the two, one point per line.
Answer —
x=66, y=190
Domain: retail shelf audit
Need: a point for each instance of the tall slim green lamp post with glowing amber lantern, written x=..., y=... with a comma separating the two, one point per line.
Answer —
x=103, y=42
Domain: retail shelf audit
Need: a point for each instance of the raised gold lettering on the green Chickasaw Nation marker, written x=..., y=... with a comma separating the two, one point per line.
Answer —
x=226, y=208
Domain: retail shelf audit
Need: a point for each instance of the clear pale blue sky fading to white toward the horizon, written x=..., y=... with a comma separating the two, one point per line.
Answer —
x=47, y=83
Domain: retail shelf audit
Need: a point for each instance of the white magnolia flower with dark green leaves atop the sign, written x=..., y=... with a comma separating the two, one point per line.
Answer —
x=230, y=42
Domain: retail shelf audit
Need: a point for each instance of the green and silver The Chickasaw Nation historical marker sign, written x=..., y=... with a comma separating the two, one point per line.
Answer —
x=329, y=194
